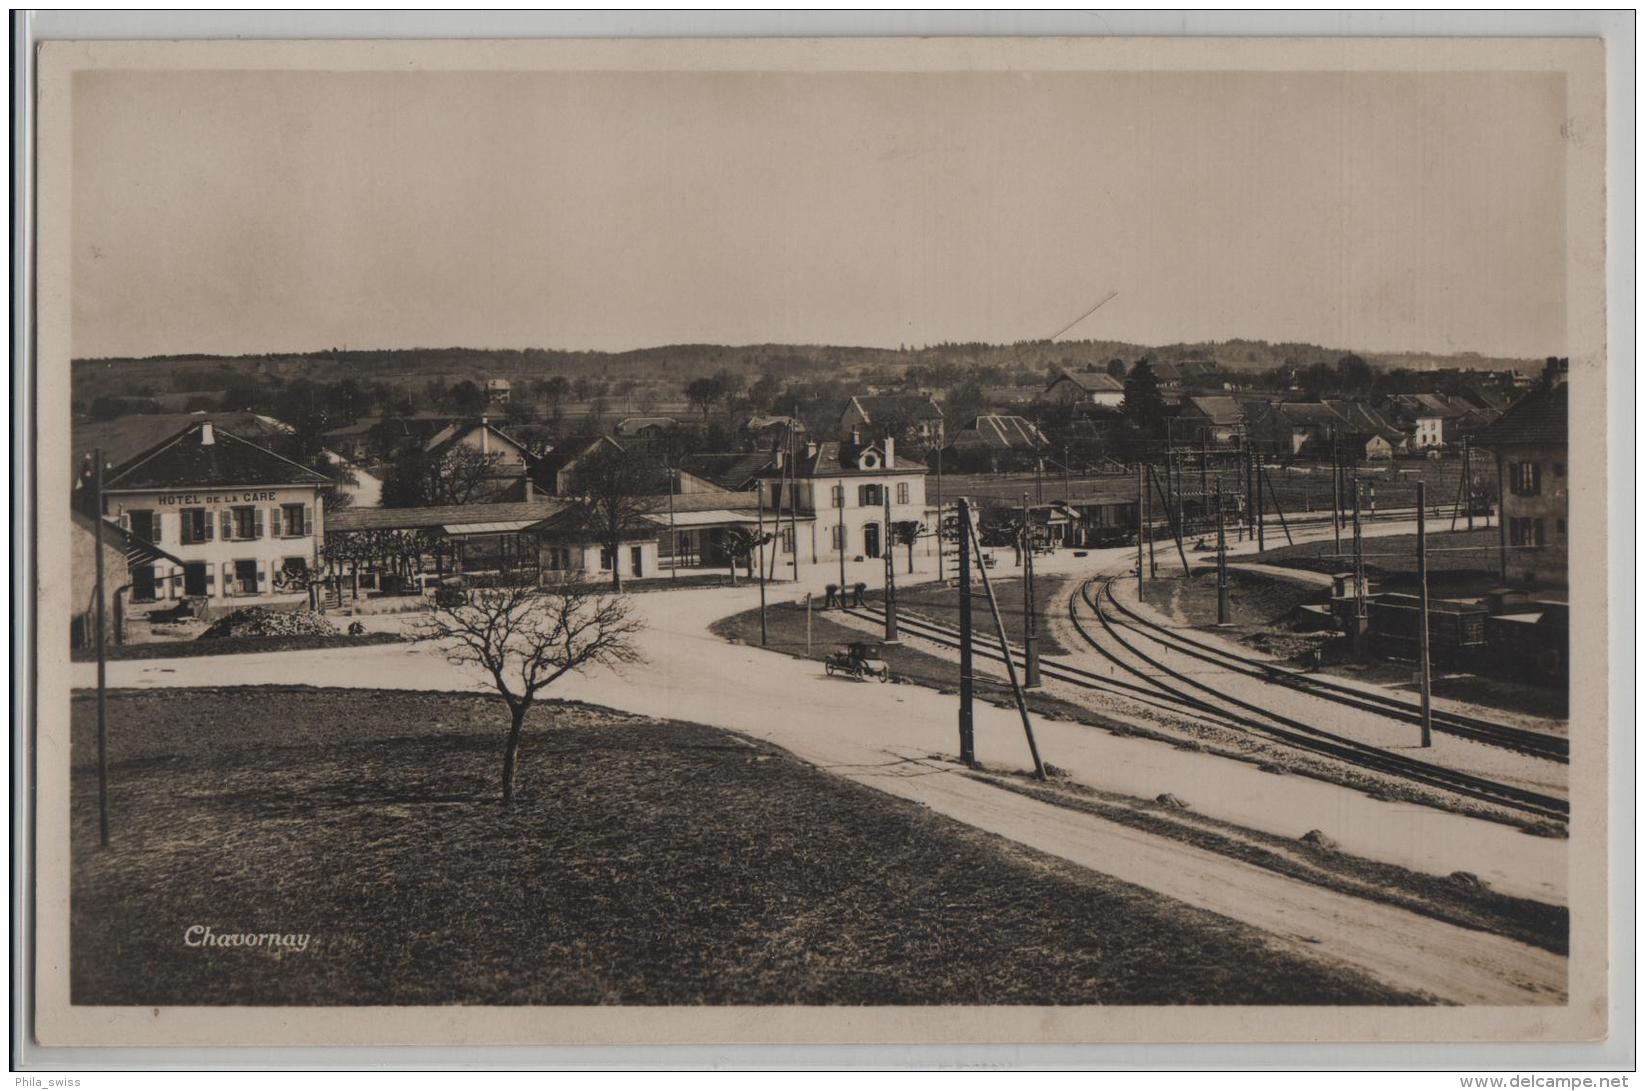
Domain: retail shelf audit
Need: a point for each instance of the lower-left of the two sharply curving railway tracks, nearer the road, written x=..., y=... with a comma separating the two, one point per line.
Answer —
x=1295, y=733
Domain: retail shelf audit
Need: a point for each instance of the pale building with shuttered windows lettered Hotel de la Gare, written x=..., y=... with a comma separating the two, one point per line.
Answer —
x=236, y=519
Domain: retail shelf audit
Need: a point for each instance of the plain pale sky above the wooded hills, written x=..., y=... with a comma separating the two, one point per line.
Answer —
x=229, y=213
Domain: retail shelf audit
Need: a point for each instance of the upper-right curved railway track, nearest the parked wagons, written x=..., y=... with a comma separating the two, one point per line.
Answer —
x=1490, y=733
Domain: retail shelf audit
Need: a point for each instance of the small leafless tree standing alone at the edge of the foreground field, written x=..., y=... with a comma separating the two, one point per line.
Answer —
x=527, y=638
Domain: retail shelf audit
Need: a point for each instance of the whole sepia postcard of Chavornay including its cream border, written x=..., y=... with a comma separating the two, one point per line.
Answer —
x=726, y=541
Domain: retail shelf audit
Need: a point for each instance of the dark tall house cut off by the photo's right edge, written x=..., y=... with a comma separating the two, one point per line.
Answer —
x=1531, y=445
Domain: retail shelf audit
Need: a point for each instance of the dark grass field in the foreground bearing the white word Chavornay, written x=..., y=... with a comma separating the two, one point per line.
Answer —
x=644, y=863
